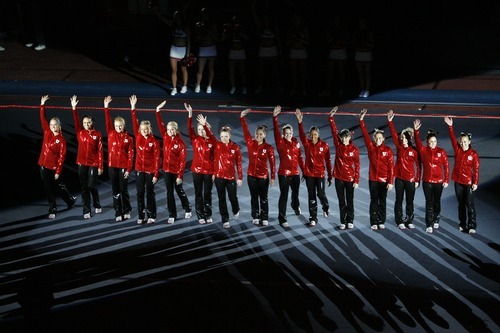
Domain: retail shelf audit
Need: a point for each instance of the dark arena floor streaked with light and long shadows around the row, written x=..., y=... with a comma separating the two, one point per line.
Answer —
x=97, y=275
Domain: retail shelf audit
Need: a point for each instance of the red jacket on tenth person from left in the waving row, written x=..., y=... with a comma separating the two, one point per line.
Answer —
x=317, y=156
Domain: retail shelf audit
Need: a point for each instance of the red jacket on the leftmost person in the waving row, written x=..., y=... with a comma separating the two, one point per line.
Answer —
x=53, y=151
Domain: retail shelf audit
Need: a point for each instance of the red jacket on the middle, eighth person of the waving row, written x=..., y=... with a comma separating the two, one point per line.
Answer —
x=258, y=155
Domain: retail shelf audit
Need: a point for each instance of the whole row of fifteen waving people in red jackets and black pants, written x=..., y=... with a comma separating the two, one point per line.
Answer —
x=218, y=161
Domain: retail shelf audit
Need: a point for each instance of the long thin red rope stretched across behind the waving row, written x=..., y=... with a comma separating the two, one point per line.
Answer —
x=339, y=113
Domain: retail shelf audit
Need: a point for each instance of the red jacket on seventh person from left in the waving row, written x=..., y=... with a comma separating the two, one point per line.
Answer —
x=226, y=157
